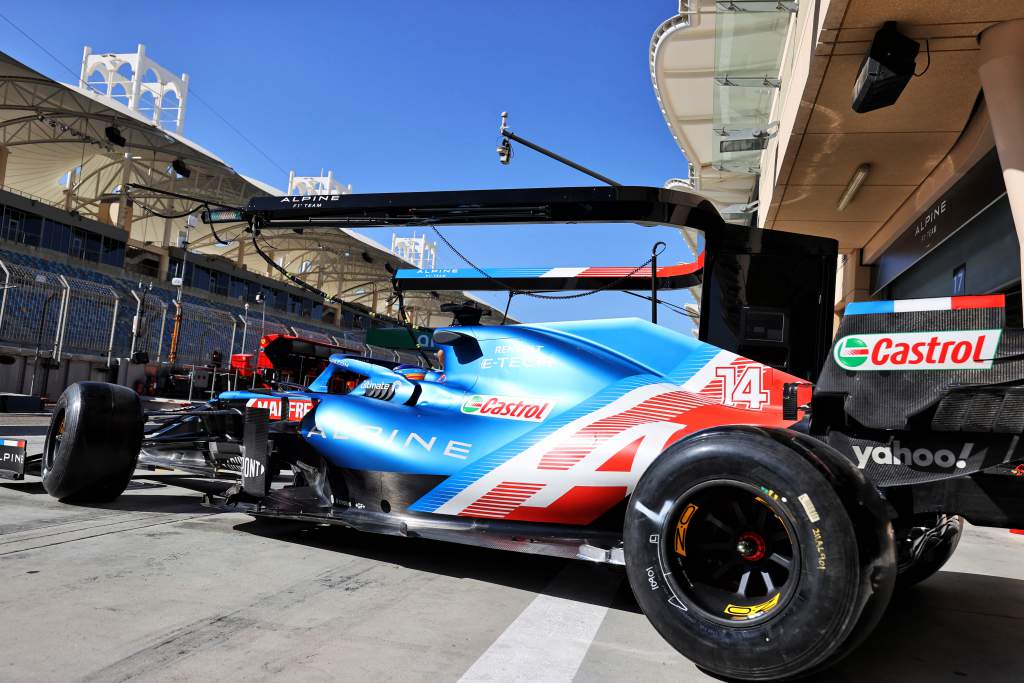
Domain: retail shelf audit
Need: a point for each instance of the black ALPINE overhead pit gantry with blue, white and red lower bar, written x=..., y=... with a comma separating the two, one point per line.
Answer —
x=766, y=294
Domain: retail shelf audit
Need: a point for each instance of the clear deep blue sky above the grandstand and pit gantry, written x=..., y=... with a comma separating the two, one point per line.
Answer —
x=407, y=97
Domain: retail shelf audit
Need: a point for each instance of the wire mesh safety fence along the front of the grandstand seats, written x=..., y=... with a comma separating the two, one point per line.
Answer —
x=54, y=316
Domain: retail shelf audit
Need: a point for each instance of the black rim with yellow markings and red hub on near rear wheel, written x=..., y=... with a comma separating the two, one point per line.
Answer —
x=730, y=549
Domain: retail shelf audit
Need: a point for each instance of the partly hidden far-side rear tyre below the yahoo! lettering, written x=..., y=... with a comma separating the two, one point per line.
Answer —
x=926, y=547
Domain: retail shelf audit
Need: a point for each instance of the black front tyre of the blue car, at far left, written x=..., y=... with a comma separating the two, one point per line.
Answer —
x=94, y=443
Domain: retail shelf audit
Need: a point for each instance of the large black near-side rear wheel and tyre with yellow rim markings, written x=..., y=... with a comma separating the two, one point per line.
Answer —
x=742, y=550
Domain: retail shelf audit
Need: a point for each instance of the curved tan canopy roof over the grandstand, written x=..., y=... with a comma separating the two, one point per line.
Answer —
x=55, y=149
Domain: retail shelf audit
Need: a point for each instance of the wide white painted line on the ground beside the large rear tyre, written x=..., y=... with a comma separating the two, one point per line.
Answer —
x=549, y=641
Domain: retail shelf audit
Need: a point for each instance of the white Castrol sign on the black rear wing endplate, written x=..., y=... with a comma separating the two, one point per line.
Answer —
x=959, y=350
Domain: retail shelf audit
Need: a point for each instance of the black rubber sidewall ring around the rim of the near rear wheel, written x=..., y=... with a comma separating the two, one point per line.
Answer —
x=829, y=573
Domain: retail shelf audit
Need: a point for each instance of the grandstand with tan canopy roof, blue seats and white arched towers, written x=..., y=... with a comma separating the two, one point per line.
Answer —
x=89, y=273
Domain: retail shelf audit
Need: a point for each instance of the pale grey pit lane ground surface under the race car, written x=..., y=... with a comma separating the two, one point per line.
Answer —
x=156, y=587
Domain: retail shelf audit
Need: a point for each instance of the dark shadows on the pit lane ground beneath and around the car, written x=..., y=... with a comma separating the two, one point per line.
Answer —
x=954, y=627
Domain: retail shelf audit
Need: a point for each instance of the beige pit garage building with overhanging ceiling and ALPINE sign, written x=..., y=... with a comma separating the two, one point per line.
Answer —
x=924, y=196
